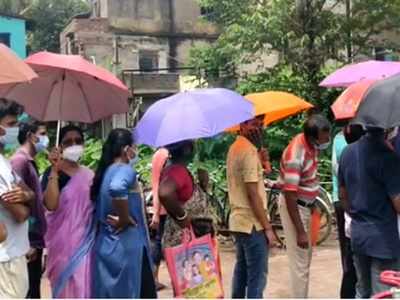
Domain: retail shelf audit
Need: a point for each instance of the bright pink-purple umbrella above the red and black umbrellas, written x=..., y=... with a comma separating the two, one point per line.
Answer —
x=368, y=70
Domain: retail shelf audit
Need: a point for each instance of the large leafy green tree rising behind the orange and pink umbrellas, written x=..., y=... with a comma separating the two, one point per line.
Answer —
x=306, y=34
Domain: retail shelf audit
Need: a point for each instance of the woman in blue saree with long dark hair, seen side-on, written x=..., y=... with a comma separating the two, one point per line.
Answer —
x=122, y=265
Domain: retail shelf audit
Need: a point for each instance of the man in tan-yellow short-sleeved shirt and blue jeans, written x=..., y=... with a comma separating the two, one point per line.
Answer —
x=248, y=219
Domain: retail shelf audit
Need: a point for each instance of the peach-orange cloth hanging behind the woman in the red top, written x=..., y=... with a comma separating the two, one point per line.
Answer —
x=160, y=157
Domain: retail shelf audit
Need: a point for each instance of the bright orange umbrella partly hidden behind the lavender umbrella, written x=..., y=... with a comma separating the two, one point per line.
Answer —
x=276, y=106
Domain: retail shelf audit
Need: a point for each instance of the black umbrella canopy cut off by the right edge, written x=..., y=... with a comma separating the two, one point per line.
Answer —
x=380, y=106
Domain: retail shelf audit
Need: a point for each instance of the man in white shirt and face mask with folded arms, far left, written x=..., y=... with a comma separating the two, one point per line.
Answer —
x=15, y=200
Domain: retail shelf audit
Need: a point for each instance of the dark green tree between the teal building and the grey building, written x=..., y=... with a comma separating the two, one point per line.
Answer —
x=49, y=19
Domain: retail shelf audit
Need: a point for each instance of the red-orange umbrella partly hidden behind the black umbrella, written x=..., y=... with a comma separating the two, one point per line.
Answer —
x=346, y=105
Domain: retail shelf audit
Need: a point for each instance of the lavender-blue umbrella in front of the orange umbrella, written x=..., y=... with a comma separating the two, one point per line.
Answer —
x=191, y=115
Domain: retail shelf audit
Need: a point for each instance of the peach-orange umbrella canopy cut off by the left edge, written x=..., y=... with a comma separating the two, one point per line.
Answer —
x=12, y=68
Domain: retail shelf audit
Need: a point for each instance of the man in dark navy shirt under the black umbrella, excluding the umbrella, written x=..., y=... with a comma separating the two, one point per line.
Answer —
x=369, y=175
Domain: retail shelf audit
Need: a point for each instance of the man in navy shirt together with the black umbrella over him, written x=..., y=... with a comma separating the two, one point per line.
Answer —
x=369, y=174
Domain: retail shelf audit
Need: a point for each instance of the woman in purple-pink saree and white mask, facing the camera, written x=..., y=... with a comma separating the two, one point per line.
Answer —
x=70, y=235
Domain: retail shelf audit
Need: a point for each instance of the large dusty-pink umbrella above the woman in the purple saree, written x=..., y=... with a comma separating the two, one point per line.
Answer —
x=69, y=88
